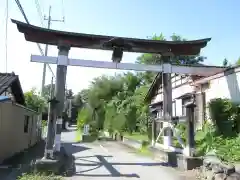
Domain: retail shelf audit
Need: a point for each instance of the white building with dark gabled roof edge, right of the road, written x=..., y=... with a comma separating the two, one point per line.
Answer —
x=221, y=85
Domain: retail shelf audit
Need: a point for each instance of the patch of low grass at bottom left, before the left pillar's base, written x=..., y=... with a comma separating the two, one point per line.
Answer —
x=39, y=177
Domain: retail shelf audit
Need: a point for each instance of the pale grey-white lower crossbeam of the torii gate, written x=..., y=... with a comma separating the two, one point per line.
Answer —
x=166, y=68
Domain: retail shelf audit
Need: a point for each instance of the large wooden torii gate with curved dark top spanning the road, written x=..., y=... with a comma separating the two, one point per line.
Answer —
x=65, y=40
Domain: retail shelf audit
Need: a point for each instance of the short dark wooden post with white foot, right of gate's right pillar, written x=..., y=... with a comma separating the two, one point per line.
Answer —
x=189, y=151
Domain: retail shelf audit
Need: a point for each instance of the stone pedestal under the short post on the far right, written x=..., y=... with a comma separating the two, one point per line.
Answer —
x=188, y=163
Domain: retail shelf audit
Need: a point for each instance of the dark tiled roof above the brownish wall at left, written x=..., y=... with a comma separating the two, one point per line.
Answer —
x=10, y=80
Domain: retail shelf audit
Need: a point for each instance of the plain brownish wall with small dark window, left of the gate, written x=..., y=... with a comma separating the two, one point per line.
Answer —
x=13, y=139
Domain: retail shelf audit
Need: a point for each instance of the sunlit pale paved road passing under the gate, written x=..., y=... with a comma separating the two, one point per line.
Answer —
x=110, y=160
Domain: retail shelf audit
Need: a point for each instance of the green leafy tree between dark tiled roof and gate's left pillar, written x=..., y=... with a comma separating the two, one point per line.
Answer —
x=35, y=101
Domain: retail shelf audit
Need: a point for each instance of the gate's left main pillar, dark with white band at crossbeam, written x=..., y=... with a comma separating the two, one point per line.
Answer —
x=60, y=91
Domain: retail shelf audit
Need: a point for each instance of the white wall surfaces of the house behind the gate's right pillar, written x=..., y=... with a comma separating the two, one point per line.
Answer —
x=222, y=85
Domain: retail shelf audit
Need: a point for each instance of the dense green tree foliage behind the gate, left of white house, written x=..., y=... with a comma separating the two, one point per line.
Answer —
x=119, y=100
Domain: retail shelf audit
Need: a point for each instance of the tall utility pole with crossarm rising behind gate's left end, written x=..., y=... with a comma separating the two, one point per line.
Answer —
x=49, y=19
